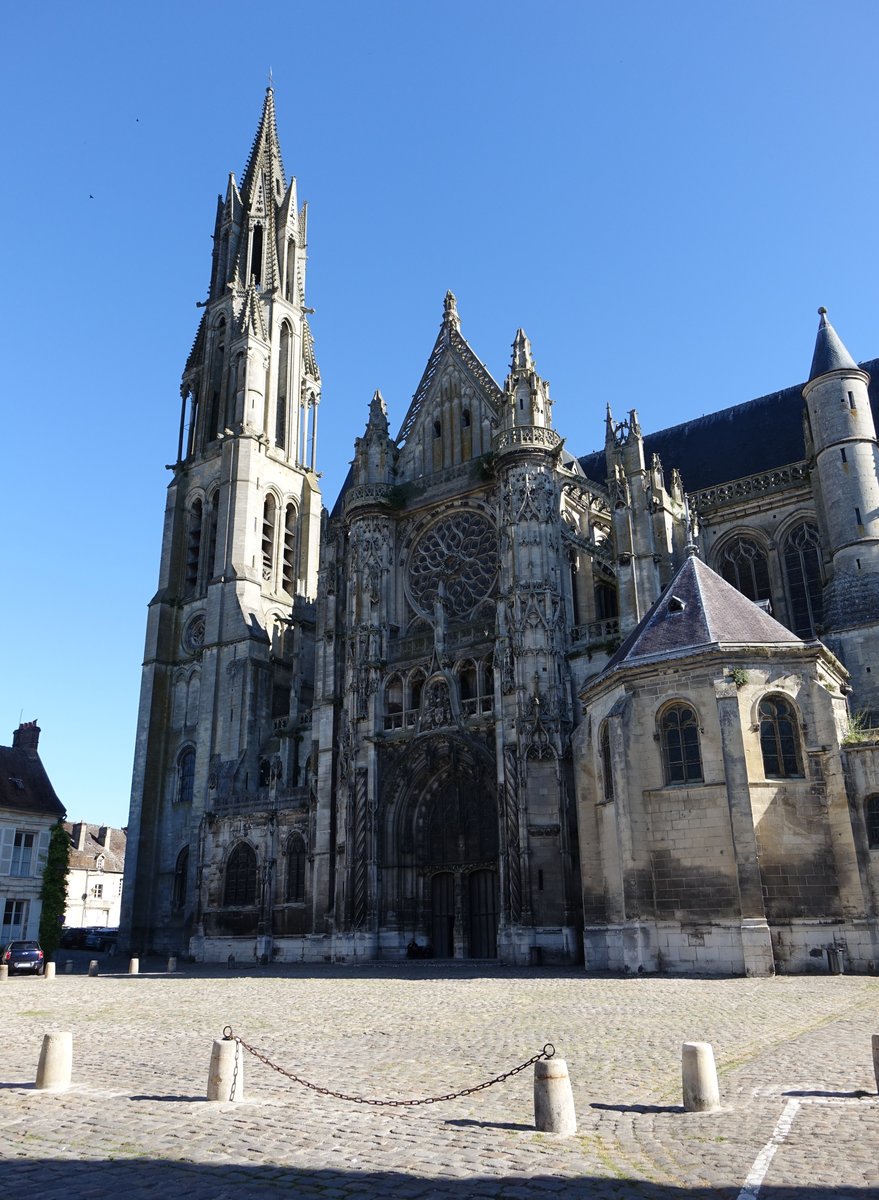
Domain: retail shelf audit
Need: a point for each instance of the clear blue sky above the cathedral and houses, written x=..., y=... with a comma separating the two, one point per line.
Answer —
x=661, y=195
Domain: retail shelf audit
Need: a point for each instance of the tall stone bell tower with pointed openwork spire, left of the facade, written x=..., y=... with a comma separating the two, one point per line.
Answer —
x=230, y=637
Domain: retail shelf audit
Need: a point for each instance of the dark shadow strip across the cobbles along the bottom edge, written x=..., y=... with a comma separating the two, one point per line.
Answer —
x=143, y=1178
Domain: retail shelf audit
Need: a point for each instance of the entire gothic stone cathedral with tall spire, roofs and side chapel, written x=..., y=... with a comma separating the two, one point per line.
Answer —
x=501, y=703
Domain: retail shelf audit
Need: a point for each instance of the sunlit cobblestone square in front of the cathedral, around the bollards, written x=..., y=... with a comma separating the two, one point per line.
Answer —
x=135, y=1121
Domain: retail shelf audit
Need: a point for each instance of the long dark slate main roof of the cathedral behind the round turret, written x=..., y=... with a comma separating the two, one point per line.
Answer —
x=742, y=441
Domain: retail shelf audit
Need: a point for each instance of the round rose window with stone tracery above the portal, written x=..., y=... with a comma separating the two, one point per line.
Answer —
x=461, y=551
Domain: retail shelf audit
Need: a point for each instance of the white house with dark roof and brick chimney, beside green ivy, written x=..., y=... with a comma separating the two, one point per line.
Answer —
x=29, y=808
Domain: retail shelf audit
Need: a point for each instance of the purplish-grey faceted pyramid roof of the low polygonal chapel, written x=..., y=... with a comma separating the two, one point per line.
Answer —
x=699, y=610
